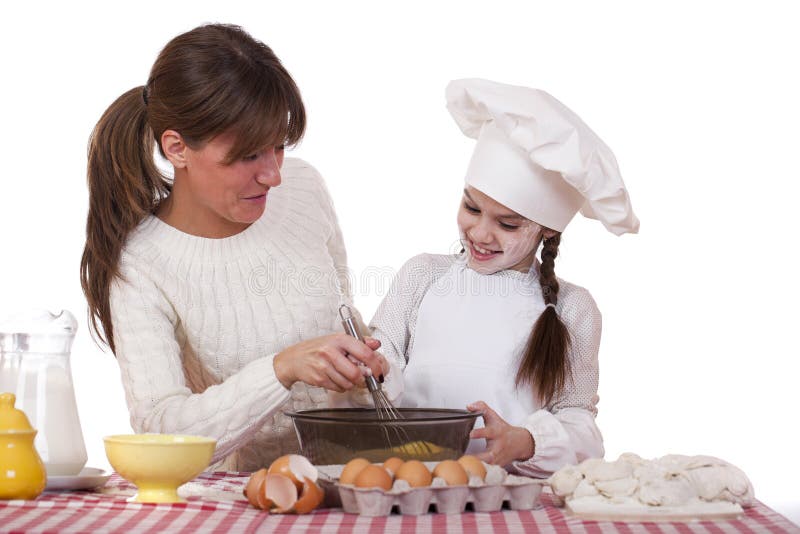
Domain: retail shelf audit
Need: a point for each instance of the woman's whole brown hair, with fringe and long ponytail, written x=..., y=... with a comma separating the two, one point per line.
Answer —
x=211, y=80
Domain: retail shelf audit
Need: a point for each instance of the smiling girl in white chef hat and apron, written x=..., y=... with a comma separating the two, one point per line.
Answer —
x=493, y=323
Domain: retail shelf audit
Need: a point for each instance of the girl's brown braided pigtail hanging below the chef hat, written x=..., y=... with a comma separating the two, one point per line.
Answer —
x=545, y=361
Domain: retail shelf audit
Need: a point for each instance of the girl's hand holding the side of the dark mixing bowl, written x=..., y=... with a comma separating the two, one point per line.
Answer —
x=504, y=442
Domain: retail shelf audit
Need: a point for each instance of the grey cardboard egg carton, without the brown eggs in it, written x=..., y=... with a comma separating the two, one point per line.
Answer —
x=518, y=493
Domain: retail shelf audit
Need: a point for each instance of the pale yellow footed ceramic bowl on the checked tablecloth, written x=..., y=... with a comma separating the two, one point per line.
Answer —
x=158, y=463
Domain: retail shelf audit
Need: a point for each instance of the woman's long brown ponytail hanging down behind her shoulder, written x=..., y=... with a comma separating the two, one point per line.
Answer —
x=125, y=186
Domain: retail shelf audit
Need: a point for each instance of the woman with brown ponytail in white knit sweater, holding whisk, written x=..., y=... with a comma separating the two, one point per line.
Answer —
x=206, y=286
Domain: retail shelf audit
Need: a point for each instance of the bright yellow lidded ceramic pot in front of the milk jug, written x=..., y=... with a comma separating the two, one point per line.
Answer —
x=22, y=474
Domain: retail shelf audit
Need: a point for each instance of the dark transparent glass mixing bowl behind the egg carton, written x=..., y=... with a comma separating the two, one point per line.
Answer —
x=336, y=436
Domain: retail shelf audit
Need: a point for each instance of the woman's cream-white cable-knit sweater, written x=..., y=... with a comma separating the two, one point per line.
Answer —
x=197, y=321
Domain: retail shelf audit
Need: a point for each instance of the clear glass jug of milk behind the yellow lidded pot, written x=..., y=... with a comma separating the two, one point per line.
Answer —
x=34, y=366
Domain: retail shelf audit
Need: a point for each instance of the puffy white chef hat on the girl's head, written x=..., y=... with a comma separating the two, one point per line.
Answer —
x=537, y=157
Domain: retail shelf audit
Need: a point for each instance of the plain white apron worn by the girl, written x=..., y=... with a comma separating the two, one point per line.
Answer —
x=470, y=332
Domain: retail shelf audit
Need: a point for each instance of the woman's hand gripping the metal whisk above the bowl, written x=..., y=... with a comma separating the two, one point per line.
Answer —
x=324, y=362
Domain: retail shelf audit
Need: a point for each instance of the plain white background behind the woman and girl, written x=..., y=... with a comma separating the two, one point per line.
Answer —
x=698, y=101
